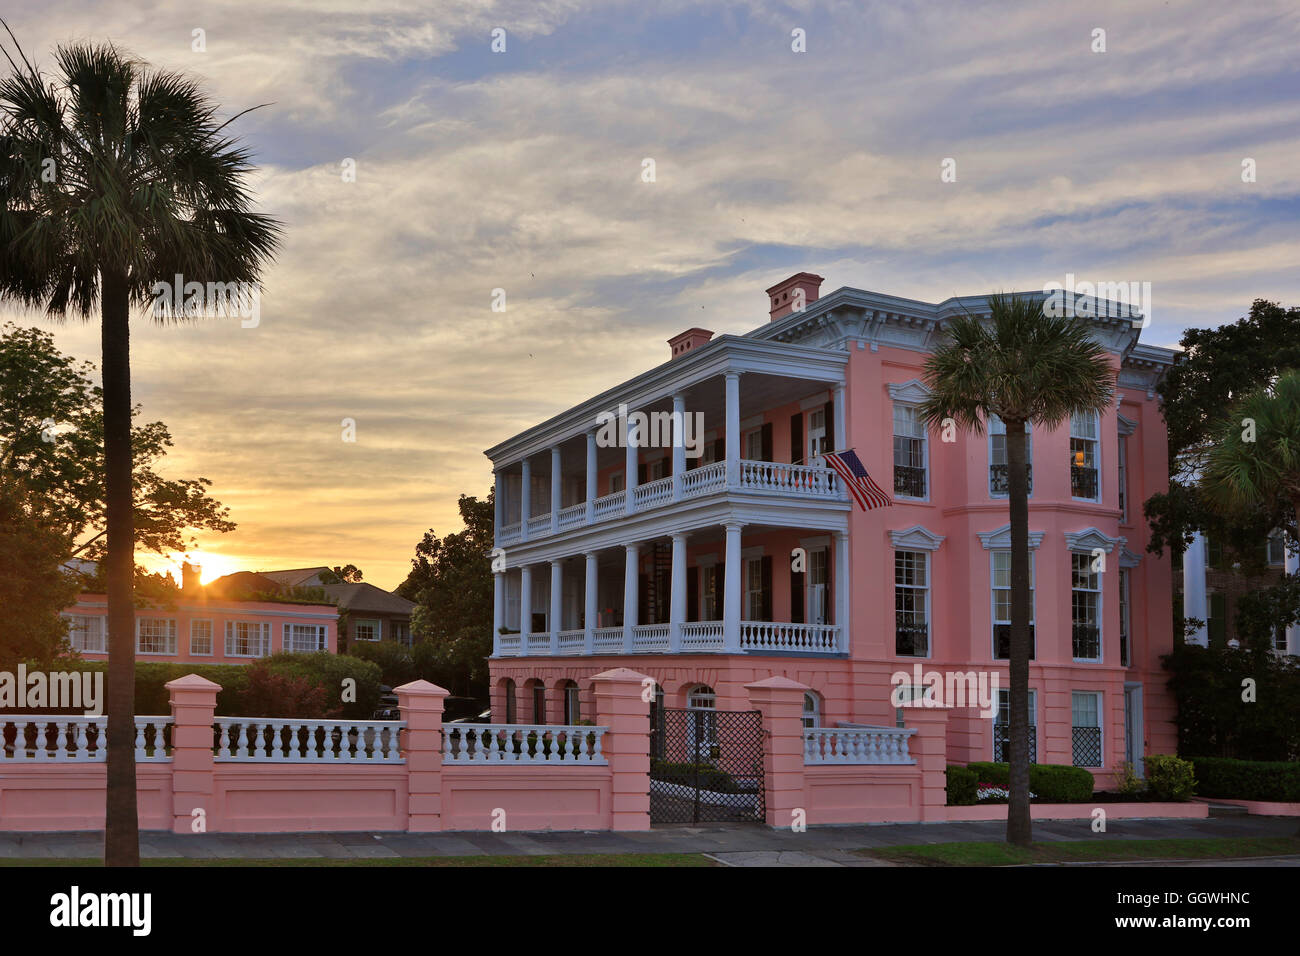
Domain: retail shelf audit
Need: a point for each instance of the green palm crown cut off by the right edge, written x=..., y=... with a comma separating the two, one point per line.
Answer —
x=1255, y=462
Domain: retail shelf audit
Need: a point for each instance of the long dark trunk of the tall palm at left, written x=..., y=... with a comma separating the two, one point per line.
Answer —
x=122, y=837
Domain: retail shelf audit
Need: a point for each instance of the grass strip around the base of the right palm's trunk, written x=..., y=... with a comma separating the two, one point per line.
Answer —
x=1085, y=851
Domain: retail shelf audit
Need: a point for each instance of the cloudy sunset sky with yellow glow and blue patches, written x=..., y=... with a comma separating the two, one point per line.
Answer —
x=522, y=171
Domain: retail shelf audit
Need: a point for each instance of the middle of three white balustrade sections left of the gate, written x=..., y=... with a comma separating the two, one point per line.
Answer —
x=275, y=741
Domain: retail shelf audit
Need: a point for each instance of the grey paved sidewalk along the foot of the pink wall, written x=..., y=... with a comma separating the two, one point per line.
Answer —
x=742, y=845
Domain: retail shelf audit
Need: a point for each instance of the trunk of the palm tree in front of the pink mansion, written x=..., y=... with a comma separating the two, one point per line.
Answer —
x=1019, y=825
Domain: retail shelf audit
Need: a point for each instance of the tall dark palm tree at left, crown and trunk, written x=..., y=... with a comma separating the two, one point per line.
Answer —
x=116, y=178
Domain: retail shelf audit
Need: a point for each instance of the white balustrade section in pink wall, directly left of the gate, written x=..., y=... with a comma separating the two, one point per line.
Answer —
x=522, y=743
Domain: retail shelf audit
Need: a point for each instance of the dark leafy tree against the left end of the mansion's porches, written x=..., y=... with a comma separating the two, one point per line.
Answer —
x=450, y=582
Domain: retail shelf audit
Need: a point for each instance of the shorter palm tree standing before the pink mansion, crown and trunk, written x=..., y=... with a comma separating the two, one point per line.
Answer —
x=1024, y=367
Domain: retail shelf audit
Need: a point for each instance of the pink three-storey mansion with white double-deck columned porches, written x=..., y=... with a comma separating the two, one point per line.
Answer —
x=749, y=560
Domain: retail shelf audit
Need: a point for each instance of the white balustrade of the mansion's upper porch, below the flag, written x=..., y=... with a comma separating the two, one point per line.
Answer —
x=795, y=483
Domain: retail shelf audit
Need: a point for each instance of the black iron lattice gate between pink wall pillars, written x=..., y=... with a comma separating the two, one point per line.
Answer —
x=707, y=767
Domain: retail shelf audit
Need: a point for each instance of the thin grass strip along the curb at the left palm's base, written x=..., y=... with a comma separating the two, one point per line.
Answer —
x=551, y=860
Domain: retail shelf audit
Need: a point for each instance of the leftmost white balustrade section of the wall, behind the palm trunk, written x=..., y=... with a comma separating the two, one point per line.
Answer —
x=68, y=739
